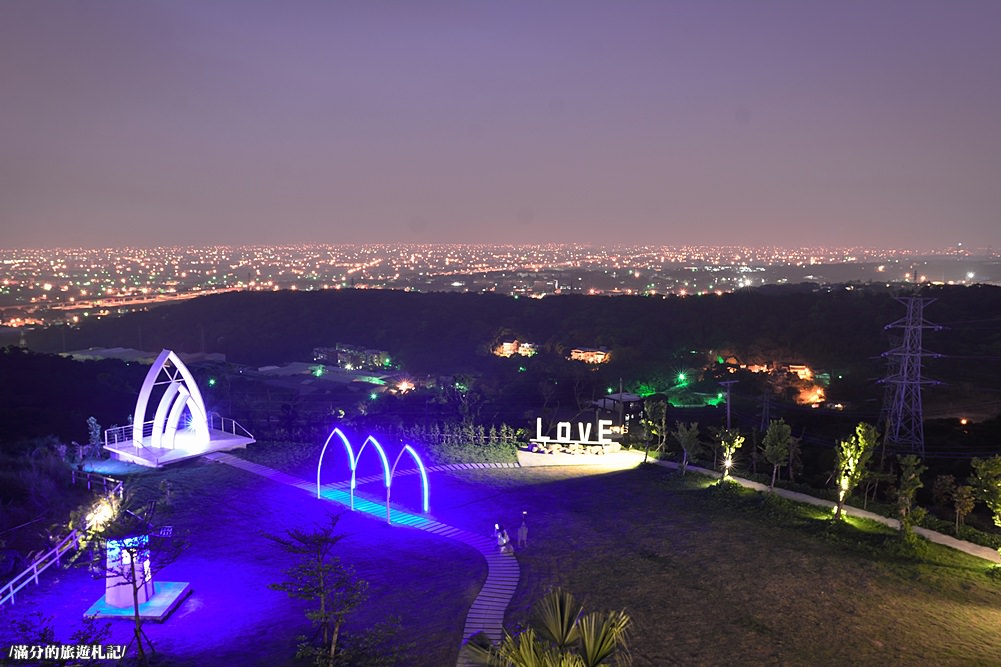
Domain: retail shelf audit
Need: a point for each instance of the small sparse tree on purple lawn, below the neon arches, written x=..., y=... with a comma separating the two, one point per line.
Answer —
x=321, y=577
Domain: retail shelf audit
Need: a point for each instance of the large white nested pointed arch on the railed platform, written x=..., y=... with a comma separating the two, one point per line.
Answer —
x=182, y=392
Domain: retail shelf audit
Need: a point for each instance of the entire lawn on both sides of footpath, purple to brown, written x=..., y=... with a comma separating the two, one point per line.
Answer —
x=710, y=577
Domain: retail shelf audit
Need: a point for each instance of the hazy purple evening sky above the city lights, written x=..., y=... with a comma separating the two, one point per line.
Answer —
x=760, y=124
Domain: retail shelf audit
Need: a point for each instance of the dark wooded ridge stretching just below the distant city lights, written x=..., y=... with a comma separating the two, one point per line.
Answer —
x=841, y=330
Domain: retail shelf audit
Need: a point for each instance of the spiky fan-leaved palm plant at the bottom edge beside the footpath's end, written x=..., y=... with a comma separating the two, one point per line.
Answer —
x=561, y=634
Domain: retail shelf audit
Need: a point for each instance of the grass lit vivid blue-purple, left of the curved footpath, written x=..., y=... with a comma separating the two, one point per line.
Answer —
x=233, y=617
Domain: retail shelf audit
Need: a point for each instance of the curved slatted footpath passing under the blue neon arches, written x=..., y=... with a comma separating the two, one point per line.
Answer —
x=487, y=612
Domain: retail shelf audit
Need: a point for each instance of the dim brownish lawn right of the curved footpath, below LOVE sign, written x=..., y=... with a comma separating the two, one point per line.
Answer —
x=731, y=578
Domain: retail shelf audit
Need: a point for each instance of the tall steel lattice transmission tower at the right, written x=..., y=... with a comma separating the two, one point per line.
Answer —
x=905, y=419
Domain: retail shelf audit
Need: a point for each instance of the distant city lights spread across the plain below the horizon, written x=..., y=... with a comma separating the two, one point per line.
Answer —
x=40, y=288
